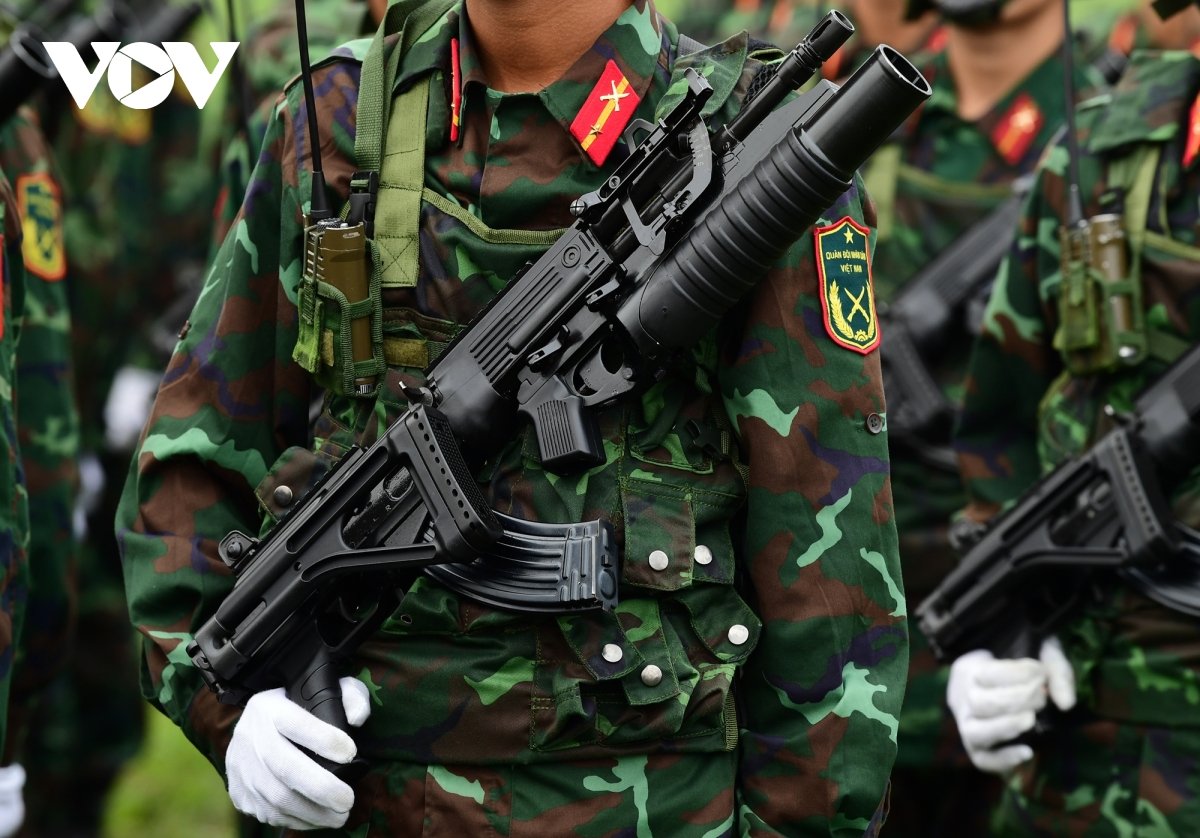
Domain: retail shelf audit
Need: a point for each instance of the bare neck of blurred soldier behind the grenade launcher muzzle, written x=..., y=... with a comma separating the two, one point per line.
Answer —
x=987, y=65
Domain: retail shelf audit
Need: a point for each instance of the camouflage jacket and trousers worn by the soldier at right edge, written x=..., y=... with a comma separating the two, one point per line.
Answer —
x=1124, y=765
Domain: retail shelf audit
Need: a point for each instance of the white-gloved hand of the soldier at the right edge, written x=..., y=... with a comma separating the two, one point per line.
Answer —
x=997, y=701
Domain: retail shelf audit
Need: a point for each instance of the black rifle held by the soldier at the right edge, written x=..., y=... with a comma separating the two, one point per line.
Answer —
x=1100, y=516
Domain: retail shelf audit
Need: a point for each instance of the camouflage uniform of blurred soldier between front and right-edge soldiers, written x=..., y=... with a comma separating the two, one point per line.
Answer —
x=950, y=176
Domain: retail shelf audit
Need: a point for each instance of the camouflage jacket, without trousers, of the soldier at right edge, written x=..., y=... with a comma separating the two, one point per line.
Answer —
x=1024, y=415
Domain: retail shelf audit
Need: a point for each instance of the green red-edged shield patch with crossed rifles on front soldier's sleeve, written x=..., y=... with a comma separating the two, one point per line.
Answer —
x=848, y=297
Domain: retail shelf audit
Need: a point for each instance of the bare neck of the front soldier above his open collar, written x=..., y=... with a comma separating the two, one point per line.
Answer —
x=526, y=45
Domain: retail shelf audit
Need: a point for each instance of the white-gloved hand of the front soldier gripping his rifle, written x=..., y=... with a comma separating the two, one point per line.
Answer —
x=275, y=782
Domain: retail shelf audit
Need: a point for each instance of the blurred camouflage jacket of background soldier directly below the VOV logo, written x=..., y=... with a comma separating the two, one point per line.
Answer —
x=140, y=191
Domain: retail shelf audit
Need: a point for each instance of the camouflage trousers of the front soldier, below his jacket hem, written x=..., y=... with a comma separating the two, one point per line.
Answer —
x=676, y=797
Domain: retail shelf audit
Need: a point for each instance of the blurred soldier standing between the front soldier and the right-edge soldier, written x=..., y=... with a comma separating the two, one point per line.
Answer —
x=945, y=171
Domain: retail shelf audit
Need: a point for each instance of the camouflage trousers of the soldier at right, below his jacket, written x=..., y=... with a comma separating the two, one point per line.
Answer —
x=1100, y=777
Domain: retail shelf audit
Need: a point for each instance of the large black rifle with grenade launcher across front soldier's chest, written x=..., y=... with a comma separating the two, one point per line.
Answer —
x=686, y=226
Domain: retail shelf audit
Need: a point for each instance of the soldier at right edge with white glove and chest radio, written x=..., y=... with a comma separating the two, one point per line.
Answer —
x=1047, y=379
